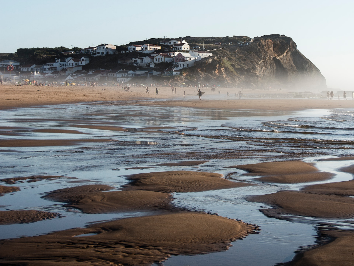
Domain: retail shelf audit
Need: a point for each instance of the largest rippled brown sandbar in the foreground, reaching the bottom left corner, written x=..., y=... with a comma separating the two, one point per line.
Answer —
x=132, y=241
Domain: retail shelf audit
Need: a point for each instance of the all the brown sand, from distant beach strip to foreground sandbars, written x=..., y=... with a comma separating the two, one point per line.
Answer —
x=173, y=231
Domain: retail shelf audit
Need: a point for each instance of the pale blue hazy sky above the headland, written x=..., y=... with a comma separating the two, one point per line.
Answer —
x=322, y=29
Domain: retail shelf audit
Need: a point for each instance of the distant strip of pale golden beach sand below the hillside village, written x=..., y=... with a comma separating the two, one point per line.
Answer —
x=28, y=96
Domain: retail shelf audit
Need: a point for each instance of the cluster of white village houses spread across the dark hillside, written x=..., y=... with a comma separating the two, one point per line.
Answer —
x=179, y=54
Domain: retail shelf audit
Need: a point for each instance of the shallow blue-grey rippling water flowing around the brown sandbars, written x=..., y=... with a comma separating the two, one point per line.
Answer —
x=154, y=136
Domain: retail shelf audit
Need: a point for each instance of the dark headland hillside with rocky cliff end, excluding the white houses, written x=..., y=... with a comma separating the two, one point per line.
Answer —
x=271, y=61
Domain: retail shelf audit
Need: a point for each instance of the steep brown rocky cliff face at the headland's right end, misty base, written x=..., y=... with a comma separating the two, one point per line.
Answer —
x=267, y=62
